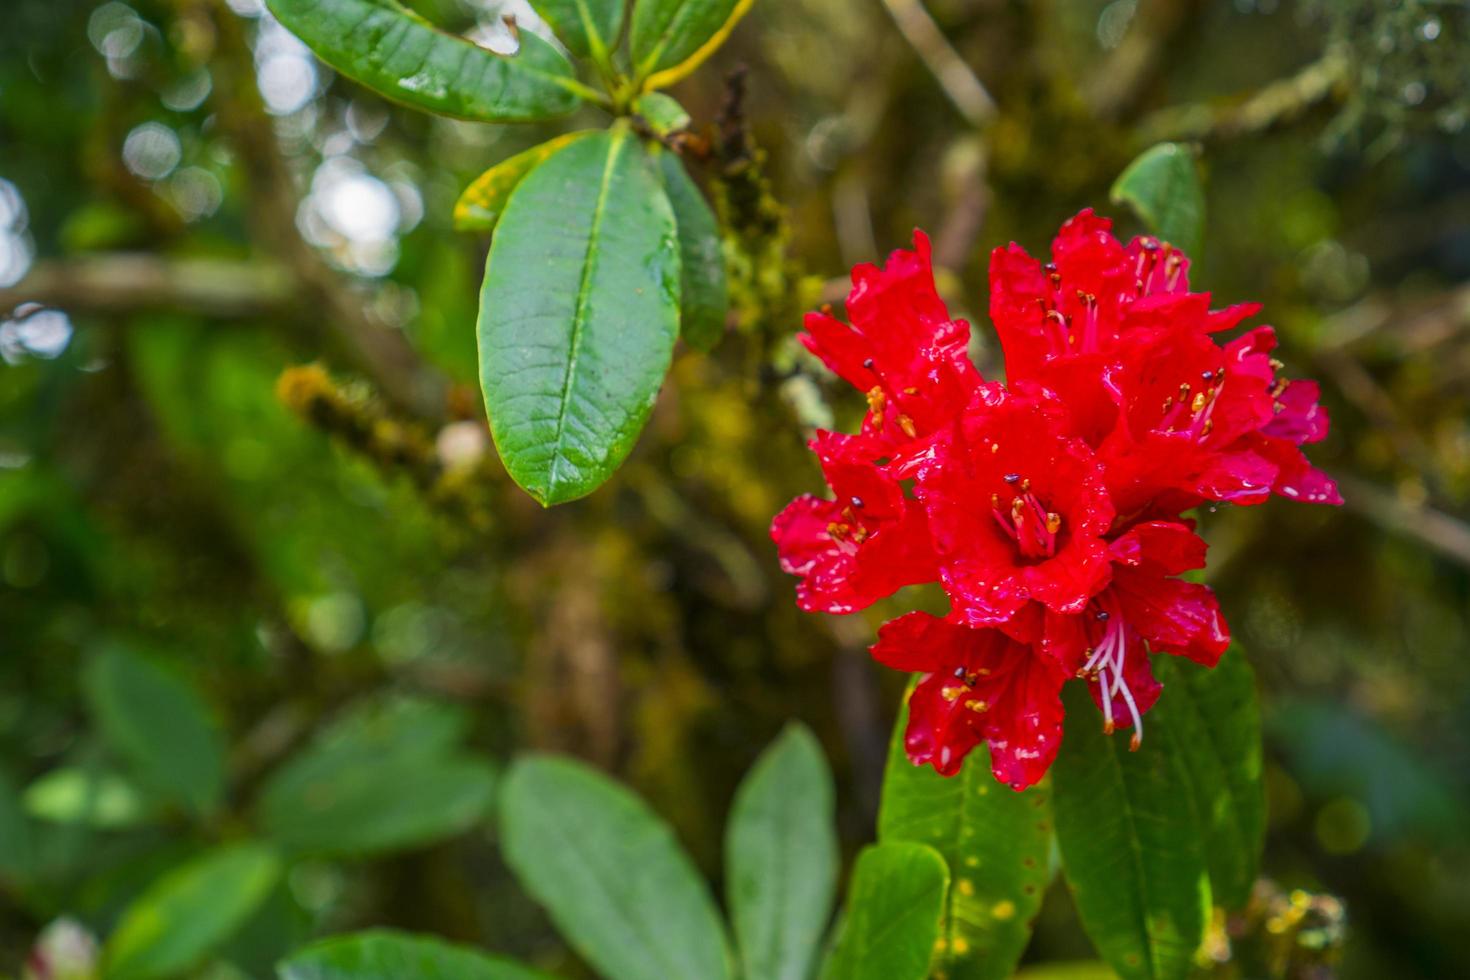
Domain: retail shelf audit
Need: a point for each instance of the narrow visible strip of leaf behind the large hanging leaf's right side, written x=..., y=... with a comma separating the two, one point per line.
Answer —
x=703, y=292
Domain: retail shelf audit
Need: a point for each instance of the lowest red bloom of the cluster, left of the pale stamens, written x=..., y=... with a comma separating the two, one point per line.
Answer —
x=980, y=687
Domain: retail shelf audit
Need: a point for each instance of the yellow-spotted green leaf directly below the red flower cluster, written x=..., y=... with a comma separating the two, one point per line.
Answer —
x=996, y=841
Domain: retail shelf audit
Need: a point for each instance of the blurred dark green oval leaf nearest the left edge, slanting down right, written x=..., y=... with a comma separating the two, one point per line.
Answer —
x=159, y=727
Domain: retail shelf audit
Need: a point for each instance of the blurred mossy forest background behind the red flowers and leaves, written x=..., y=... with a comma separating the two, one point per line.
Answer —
x=190, y=240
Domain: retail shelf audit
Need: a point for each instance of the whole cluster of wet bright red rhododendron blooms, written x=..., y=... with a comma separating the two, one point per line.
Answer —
x=1049, y=508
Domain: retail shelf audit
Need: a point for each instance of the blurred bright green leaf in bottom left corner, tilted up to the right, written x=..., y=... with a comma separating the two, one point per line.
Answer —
x=190, y=912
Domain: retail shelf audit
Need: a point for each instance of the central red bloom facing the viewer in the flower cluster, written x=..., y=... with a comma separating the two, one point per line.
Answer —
x=1017, y=508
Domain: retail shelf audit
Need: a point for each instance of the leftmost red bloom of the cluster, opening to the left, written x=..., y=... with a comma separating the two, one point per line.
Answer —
x=868, y=543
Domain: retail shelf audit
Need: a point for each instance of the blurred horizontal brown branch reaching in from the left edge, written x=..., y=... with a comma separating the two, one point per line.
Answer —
x=124, y=283
